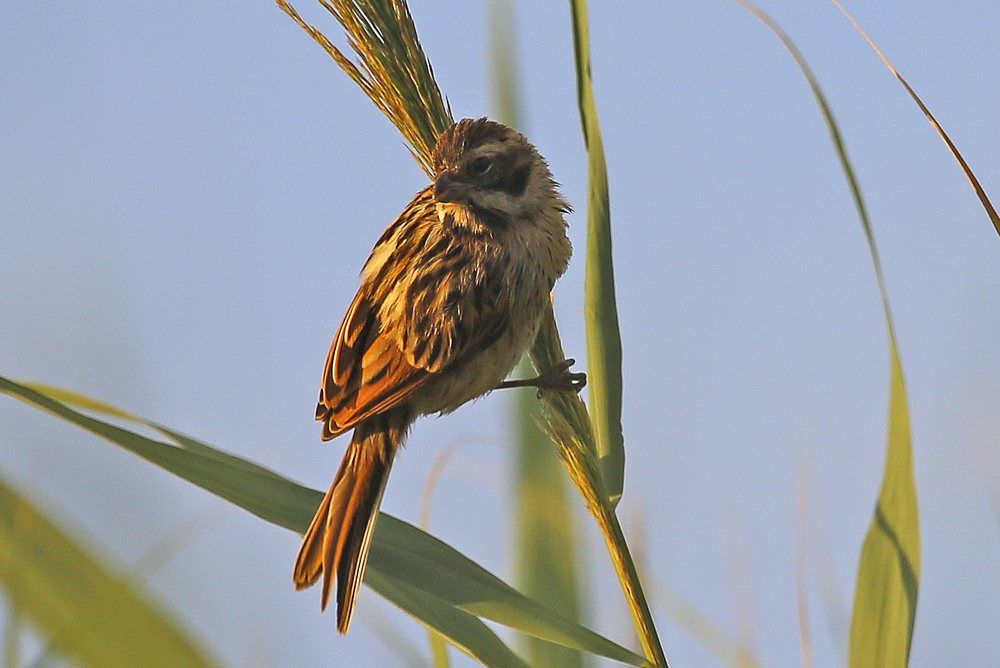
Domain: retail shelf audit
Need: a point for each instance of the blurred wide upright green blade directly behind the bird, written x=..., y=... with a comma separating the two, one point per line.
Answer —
x=546, y=538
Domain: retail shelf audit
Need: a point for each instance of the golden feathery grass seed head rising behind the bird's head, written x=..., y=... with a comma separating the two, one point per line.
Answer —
x=393, y=72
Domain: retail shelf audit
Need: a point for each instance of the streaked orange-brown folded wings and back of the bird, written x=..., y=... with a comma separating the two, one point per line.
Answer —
x=431, y=303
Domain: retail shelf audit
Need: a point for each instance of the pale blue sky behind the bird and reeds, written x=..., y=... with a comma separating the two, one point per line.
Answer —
x=188, y=191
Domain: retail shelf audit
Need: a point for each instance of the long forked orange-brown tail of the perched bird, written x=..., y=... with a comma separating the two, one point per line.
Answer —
x=337, y=541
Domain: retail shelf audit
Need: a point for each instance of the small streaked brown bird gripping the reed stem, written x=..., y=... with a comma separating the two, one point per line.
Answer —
x=450, y=299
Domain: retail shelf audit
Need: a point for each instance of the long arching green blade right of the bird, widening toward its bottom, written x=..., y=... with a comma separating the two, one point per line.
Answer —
x=885, y=600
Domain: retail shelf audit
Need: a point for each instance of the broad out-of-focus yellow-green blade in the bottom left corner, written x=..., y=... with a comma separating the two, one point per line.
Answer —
x=90, y=614
